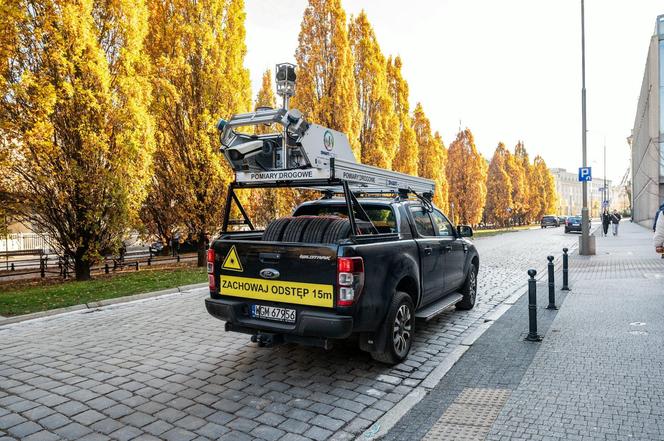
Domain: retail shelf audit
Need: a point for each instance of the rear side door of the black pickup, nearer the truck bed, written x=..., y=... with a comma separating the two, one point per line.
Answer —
x=431, y=257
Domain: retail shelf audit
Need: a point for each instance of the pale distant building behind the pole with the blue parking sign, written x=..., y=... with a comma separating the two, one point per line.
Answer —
x=570, y=193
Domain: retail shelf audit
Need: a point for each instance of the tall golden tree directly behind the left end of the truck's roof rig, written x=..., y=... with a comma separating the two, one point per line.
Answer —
x=197, y=49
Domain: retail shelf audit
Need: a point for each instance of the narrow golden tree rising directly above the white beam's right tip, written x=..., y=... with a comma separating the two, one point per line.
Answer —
x=433, y=156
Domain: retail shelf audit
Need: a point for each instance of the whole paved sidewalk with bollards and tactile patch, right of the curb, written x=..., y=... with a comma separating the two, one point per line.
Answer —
x=597, y=375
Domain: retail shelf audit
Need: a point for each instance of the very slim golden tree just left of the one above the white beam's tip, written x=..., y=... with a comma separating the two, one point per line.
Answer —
x=406, y=157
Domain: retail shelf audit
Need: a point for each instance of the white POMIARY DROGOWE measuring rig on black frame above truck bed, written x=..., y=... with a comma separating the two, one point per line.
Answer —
x=331, y=175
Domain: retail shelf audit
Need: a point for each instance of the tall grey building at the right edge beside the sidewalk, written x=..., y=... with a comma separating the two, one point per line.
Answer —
x=647, y=140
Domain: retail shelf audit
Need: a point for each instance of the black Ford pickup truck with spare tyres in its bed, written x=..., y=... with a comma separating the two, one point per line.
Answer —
x=307, y=279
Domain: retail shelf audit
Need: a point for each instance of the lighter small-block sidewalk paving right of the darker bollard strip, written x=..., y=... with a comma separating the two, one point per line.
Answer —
x=599, y=376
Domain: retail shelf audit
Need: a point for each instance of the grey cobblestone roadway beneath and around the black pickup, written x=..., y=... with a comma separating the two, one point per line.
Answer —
x=164, y=369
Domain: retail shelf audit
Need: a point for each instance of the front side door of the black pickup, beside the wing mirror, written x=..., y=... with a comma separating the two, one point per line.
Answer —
x=454, y=251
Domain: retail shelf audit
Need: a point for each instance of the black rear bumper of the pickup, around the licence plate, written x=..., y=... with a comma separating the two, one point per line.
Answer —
x=308, y=324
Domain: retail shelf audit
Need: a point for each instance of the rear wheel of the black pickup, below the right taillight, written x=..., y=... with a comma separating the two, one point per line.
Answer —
x=398, y=330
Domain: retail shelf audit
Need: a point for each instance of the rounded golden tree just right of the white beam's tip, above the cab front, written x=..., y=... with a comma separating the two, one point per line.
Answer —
x=466, y=174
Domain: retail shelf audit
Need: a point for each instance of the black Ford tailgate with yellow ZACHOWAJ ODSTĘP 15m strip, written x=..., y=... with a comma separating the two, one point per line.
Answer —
x=299, y=274
